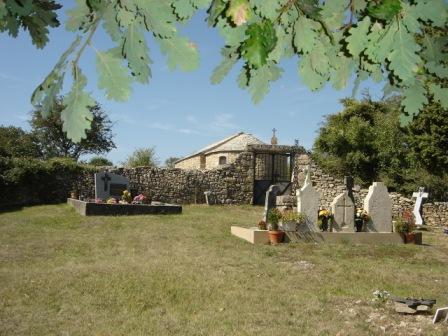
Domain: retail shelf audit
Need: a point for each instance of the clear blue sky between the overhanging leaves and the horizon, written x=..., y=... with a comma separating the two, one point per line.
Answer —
x=177, y=112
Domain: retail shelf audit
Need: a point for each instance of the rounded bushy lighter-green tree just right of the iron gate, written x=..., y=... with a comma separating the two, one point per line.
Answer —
x=364, y=140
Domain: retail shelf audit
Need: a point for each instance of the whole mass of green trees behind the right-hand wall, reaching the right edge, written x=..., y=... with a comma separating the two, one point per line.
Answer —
x=366, y=141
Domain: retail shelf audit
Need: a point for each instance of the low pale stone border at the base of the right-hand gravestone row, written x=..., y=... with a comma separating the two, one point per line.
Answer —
x=255, y=236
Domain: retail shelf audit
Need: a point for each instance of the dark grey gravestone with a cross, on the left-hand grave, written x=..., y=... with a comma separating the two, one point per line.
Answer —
x=110, y=185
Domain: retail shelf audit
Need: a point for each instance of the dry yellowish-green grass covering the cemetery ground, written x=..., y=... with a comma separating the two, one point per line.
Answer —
x=64, y=274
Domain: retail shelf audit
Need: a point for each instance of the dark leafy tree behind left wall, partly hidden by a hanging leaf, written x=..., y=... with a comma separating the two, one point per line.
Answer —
x=53, y=140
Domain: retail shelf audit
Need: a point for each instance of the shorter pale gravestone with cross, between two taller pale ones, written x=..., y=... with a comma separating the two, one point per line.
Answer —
x=343, y=210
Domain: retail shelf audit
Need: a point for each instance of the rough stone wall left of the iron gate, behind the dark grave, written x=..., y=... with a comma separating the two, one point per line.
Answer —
x=230, y=184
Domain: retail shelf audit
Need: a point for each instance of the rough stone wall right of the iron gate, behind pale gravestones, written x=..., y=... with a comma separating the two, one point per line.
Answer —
x=434, y=214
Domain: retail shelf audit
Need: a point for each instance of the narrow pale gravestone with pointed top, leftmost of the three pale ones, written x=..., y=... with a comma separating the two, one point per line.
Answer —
x=308, y=202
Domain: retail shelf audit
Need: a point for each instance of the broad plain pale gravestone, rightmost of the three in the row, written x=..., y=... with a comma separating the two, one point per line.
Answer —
x=379, y=207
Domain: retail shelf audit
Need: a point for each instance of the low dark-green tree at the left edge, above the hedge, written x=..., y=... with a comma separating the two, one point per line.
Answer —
x=15, y=142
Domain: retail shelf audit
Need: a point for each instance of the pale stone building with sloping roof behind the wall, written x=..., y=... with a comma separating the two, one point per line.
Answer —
x=220, y=153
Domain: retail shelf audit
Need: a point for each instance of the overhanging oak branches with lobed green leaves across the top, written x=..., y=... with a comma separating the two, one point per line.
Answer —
x=332, y=40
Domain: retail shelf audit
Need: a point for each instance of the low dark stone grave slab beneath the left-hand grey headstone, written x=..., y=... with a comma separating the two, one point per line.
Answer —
x=102, y=209
